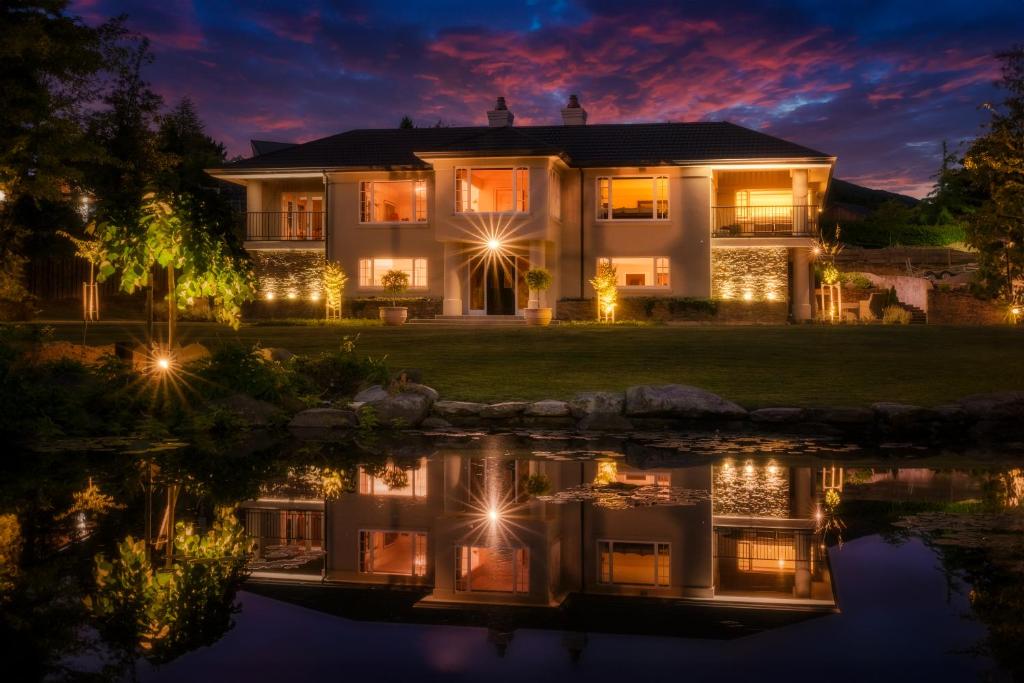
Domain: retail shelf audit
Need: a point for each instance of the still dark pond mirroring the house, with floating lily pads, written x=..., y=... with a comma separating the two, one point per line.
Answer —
x=521, y=556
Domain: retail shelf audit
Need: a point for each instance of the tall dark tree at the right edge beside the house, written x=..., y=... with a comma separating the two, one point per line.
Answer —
x=995, y=163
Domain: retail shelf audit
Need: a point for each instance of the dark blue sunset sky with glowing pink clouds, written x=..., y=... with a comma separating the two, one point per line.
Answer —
x=878, y=84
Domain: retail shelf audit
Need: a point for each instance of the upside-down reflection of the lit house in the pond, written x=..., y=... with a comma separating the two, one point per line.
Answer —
x=486, y=529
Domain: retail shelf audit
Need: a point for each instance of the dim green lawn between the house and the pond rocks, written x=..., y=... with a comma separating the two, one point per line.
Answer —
x=754, y=366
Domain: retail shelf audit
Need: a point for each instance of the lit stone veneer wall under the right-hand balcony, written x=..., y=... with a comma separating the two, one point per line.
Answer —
x=750, y=274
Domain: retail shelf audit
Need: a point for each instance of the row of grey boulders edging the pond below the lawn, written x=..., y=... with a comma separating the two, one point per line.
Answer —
x=996, y=417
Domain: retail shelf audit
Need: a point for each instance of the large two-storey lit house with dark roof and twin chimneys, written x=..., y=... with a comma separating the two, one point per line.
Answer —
x=705, y=210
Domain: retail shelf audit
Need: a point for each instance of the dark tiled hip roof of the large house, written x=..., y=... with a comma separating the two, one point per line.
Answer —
x=590, y=146
